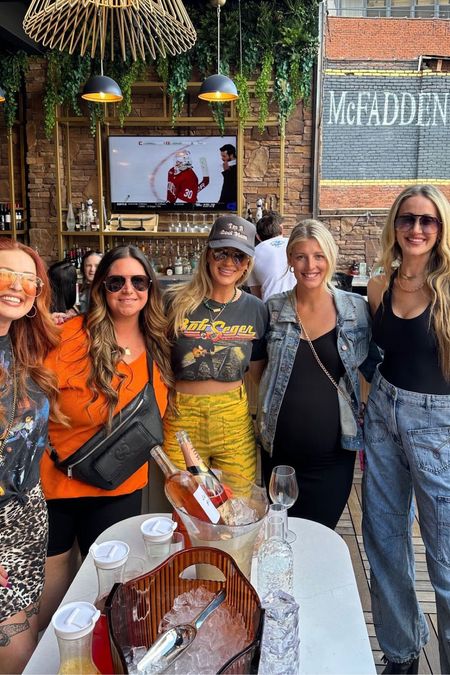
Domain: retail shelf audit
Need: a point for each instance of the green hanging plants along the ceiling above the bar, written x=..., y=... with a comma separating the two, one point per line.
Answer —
x=279, y=43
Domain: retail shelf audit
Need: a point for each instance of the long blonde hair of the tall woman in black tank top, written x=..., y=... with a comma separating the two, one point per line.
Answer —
x=438, y=266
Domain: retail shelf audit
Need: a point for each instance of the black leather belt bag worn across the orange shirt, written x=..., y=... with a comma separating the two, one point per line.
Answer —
x=107, y=460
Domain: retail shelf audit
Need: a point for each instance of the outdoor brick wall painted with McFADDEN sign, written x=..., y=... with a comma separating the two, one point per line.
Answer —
x=384, y=123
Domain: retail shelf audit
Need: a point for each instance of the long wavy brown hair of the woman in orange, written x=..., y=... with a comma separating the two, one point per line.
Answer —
x=103, y=349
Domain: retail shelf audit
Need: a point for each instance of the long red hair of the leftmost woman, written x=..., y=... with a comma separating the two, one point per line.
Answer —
x=33, y=337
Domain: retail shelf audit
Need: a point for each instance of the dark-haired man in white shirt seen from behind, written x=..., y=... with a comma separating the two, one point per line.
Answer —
x=270, y=273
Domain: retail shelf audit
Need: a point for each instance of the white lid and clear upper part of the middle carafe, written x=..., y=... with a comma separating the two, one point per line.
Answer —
x=110, y=558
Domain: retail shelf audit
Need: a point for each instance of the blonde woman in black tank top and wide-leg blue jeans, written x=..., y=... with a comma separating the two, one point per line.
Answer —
x=407, y=426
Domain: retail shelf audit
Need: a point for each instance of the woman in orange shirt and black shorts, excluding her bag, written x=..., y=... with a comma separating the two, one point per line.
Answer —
x=101, y=365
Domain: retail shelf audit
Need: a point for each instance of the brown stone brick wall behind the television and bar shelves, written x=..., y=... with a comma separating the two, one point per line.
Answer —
x=261, y=161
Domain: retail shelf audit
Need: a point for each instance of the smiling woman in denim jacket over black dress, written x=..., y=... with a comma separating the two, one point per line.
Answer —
x=308, y=418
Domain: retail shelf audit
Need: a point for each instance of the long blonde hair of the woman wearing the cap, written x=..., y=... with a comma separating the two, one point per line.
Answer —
x=182, y=299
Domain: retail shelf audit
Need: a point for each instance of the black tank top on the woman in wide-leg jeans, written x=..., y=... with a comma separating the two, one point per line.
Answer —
x=411, y=357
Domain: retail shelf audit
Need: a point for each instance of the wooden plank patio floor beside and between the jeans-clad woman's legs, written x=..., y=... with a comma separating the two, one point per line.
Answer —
x=349, y=527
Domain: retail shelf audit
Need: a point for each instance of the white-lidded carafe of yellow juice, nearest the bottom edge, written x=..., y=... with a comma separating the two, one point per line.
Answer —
x=73, y=624
